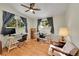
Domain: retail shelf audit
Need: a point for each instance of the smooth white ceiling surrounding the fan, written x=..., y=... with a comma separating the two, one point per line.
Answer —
x=47, y=9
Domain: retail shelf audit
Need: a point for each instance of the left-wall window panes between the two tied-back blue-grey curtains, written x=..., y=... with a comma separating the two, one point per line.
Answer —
x=16, y=24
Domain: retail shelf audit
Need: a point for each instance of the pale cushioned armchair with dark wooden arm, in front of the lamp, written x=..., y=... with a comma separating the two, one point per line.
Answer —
x=69, y=49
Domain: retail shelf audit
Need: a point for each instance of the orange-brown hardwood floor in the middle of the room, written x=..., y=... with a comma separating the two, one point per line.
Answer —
x=30, y=48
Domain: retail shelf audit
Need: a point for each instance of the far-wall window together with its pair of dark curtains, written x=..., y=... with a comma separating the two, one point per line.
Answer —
x=44, y=24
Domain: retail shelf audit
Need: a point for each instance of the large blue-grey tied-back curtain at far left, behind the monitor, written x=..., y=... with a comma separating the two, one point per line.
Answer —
x=6, y=18
